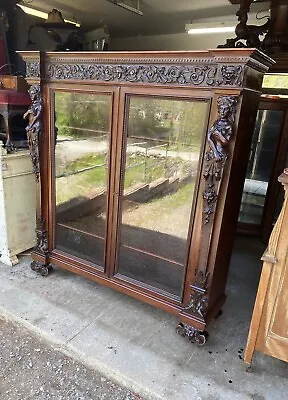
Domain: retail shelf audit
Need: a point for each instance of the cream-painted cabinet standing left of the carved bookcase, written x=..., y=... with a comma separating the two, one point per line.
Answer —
x=17, y=205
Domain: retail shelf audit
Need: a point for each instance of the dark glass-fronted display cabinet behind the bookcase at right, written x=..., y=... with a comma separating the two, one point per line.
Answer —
x=269, y=148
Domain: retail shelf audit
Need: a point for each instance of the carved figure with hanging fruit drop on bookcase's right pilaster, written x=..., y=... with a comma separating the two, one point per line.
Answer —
x=216, y=156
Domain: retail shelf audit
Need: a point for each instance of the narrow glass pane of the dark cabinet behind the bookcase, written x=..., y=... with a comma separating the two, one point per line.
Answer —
x=264, y=143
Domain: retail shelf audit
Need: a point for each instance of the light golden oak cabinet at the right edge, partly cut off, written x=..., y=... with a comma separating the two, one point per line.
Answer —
x=269, y=326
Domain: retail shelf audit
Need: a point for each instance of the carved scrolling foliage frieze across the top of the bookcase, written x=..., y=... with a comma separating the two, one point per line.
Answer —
x=195, y=75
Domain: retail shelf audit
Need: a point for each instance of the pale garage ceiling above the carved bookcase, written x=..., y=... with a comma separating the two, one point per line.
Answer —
x=160, y=16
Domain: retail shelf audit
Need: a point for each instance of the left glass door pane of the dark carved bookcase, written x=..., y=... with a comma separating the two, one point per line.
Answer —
x=81, y=162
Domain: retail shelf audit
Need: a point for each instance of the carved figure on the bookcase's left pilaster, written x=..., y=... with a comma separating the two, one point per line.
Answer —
x=34, y=127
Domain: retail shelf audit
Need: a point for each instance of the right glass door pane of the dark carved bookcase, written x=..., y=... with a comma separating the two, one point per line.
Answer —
x=162, y=153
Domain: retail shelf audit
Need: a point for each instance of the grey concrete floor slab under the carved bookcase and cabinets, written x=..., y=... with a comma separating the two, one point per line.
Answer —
x=136, y=344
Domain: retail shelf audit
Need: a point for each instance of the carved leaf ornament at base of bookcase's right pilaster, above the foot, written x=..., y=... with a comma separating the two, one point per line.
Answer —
x=198, y=302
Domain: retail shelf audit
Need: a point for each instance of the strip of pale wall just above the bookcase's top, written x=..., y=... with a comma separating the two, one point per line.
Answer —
x=179, y=41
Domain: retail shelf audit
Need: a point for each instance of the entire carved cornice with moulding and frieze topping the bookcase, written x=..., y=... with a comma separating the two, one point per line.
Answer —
x=211, y=68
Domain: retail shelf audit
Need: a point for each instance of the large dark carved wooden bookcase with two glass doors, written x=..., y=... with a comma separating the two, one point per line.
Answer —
x=140, y=161
